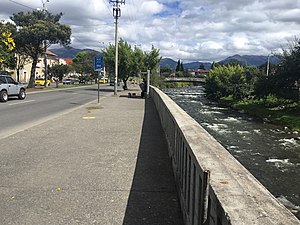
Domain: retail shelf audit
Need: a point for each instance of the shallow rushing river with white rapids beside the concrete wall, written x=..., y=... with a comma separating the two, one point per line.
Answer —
x=269, y=152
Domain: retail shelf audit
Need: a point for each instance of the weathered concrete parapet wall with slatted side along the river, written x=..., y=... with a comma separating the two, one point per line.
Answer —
x=214, y=188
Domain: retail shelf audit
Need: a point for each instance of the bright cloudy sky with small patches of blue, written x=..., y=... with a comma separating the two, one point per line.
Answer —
x=189, y=30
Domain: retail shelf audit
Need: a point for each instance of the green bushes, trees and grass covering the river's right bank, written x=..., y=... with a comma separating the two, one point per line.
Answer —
x=273, y=97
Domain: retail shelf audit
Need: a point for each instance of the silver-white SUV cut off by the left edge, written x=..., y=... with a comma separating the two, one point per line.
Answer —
x=9, y=87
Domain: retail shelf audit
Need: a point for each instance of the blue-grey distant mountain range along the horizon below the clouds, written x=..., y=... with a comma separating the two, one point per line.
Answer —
x=249, y=60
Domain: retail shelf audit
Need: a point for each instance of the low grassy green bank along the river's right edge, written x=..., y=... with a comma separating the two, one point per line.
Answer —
x=280, y=112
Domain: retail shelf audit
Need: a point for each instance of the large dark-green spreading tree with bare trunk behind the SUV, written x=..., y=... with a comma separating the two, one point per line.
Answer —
x=36, y=28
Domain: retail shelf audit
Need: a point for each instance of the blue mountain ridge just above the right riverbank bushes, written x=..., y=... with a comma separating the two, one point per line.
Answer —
x=250, y=60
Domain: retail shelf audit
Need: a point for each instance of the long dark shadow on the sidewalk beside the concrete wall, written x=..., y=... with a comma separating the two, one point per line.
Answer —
x=153, y=198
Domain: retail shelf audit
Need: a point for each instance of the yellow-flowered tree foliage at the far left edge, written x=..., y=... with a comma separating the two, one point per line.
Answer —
x=7, y=45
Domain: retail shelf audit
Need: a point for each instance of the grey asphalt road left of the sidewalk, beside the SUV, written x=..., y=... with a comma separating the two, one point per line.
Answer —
x=38, y=107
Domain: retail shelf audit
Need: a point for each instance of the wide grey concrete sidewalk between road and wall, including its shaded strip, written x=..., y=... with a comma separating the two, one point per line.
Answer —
x=101, y=164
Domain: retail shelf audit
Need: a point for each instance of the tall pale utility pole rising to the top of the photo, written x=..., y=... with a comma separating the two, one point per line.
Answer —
x=116, y=14
